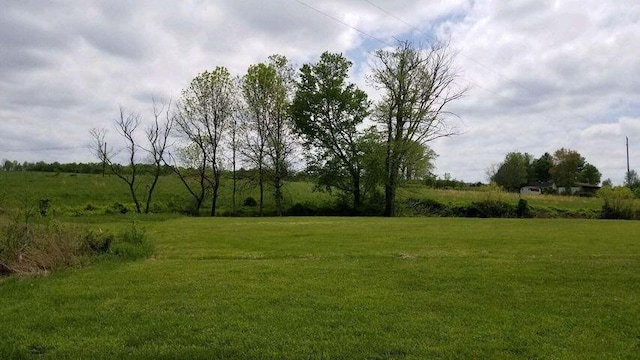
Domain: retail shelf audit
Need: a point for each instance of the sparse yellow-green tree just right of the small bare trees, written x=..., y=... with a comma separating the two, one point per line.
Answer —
x=204, y=112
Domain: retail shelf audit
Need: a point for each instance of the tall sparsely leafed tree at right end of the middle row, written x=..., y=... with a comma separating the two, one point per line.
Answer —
x=417, y=85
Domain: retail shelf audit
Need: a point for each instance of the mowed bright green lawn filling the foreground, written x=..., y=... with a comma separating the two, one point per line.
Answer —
x=342, y=288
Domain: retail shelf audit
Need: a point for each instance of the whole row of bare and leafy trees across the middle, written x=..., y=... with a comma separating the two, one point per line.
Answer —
x=273, y=116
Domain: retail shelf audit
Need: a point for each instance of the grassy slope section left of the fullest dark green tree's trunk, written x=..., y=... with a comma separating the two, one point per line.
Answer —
x=71, y=193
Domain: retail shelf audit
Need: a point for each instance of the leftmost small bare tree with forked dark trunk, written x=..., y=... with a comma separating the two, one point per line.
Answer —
x=126, y=125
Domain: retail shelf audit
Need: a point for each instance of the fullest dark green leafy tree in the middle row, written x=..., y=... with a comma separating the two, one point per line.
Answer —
x=326, y=111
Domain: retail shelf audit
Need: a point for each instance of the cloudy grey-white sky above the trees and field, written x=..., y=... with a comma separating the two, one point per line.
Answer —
x=542, y=74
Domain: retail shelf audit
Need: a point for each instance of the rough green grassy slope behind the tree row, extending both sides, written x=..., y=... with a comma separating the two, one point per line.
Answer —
x=71, y=193
